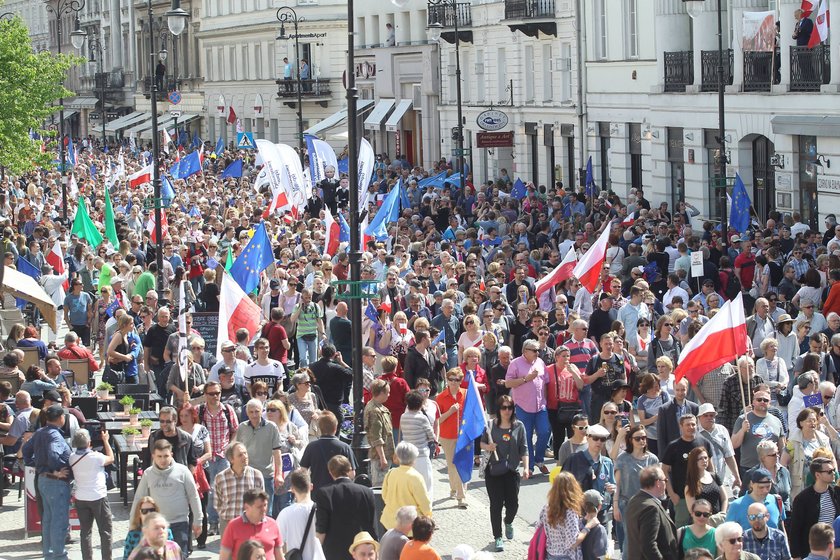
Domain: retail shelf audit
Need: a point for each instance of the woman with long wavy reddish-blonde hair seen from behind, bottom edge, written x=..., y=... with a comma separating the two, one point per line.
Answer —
x=561, y=519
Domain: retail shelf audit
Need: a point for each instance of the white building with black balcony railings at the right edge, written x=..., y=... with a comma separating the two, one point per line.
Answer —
x=652, y=105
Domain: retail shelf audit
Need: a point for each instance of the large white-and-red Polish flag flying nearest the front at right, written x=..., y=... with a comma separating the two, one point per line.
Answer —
x=722, y=339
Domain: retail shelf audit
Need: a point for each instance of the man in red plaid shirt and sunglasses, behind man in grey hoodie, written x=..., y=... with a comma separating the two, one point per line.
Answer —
x=220, y=420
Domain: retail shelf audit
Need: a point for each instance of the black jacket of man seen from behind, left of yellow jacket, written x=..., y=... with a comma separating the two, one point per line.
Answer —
x=344, y=509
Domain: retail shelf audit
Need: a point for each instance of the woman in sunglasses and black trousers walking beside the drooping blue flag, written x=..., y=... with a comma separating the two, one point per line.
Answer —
x=505, y=441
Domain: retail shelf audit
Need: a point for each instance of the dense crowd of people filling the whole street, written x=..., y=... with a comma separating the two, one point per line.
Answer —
x=578, y=384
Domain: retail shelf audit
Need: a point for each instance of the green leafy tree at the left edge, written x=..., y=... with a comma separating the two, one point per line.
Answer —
x=30, y=85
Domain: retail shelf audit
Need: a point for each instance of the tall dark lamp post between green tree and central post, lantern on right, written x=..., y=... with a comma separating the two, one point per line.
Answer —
x=176, y=20
